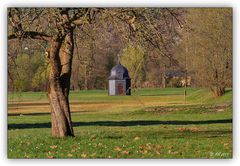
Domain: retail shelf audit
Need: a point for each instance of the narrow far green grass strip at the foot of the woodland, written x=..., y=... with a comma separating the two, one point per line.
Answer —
x=193, y=94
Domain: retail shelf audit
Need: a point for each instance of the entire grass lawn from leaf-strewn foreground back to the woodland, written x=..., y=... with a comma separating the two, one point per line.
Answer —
x=152, y=123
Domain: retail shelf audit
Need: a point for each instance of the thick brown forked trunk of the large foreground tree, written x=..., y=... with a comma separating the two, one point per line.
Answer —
x=59, y=84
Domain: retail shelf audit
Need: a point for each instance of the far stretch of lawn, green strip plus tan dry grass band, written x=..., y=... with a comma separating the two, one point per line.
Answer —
x=98, y=100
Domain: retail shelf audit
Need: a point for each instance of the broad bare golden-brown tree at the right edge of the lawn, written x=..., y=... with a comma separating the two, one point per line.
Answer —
x=207, y=43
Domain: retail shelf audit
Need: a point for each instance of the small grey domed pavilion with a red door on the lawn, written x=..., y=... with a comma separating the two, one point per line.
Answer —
x=119, y=82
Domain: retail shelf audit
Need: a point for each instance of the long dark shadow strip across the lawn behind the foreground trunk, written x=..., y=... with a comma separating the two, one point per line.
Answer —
x=120, y=123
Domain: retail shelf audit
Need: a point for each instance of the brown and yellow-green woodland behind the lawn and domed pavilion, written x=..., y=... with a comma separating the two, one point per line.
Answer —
x=191, y=47
